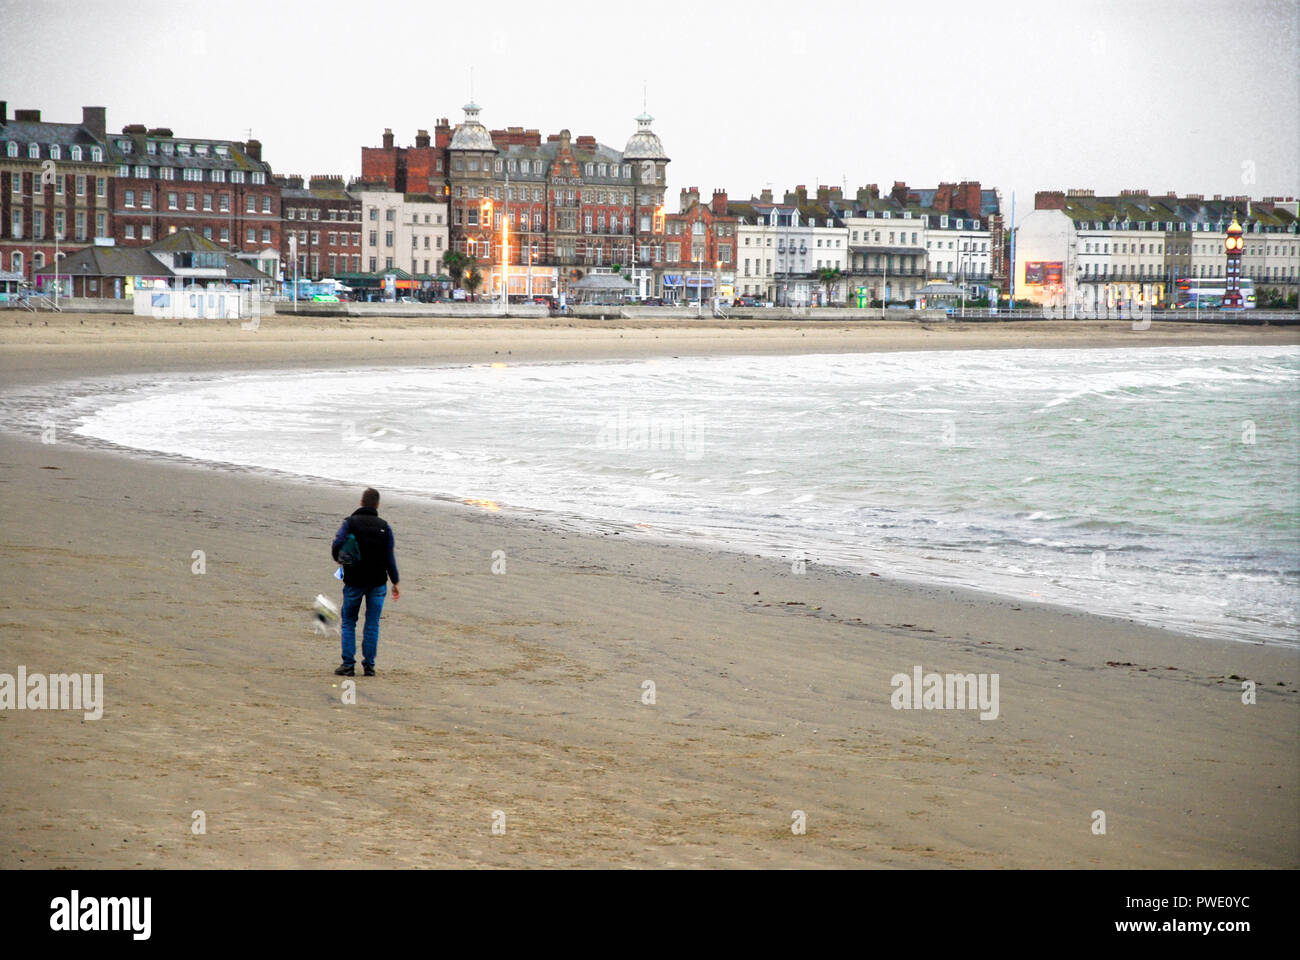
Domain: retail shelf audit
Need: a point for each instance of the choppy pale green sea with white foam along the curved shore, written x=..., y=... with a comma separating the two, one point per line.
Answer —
x=1158, y=485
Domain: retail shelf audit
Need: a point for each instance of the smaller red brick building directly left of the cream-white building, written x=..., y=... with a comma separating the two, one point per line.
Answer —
x=327, y=220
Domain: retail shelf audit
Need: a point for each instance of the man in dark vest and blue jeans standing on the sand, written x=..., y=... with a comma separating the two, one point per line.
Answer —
x=367, y=578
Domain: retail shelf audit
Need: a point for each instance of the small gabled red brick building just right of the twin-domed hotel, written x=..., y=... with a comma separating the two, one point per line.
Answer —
x=699, y=248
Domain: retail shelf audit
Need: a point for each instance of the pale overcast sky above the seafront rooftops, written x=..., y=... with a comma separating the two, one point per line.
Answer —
x=1188, y=96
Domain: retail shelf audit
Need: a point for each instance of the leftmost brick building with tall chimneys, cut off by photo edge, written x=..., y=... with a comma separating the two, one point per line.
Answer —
x=75, y=206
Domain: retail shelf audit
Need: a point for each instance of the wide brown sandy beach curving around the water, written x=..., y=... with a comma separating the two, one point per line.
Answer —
x=522, y=694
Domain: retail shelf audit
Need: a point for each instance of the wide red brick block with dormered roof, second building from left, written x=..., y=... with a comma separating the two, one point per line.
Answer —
x=220, y=189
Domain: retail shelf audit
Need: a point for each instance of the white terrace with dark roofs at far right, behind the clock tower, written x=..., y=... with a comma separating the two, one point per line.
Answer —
x=1132, y=249
